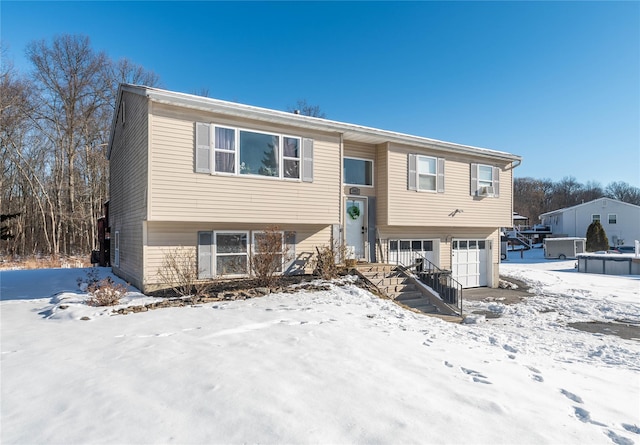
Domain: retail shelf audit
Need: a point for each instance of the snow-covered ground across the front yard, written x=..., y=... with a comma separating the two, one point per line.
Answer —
x=337, y=366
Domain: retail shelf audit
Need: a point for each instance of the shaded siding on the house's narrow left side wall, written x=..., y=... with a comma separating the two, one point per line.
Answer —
x=128, y=185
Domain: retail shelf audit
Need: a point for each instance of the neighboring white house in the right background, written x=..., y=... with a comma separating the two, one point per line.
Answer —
x=620, y=220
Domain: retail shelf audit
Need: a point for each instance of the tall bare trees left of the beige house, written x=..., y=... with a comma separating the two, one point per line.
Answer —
x=54, y=130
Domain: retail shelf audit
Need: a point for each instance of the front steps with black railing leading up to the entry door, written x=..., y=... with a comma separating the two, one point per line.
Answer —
x=397, y=286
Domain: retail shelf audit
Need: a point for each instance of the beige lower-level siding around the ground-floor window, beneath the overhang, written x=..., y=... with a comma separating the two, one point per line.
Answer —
x=163, y=237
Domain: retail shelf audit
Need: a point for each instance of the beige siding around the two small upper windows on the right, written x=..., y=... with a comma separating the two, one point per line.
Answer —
x=408, y=207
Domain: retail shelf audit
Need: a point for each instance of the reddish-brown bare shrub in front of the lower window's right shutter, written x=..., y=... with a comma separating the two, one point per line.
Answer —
x=270, y=255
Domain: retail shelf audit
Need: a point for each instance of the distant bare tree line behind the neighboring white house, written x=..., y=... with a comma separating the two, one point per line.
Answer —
x=533, y=197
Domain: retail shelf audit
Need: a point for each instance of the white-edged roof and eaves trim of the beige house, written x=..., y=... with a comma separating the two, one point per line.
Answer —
x=351, y=132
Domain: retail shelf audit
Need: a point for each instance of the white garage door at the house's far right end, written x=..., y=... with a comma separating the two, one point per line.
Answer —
x=469, y=262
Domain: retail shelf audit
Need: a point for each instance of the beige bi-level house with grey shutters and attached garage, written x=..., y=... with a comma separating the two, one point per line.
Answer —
x=210, y=176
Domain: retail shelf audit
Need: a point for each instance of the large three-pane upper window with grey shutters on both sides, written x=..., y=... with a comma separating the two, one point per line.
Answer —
x=243, y=152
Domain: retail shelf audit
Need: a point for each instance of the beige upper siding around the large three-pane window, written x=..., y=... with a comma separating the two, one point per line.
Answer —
x=180, y=194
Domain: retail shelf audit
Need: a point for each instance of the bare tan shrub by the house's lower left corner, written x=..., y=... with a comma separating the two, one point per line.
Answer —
x=179, y=271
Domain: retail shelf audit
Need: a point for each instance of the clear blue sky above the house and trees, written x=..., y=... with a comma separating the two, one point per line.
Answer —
x=557, y=83
